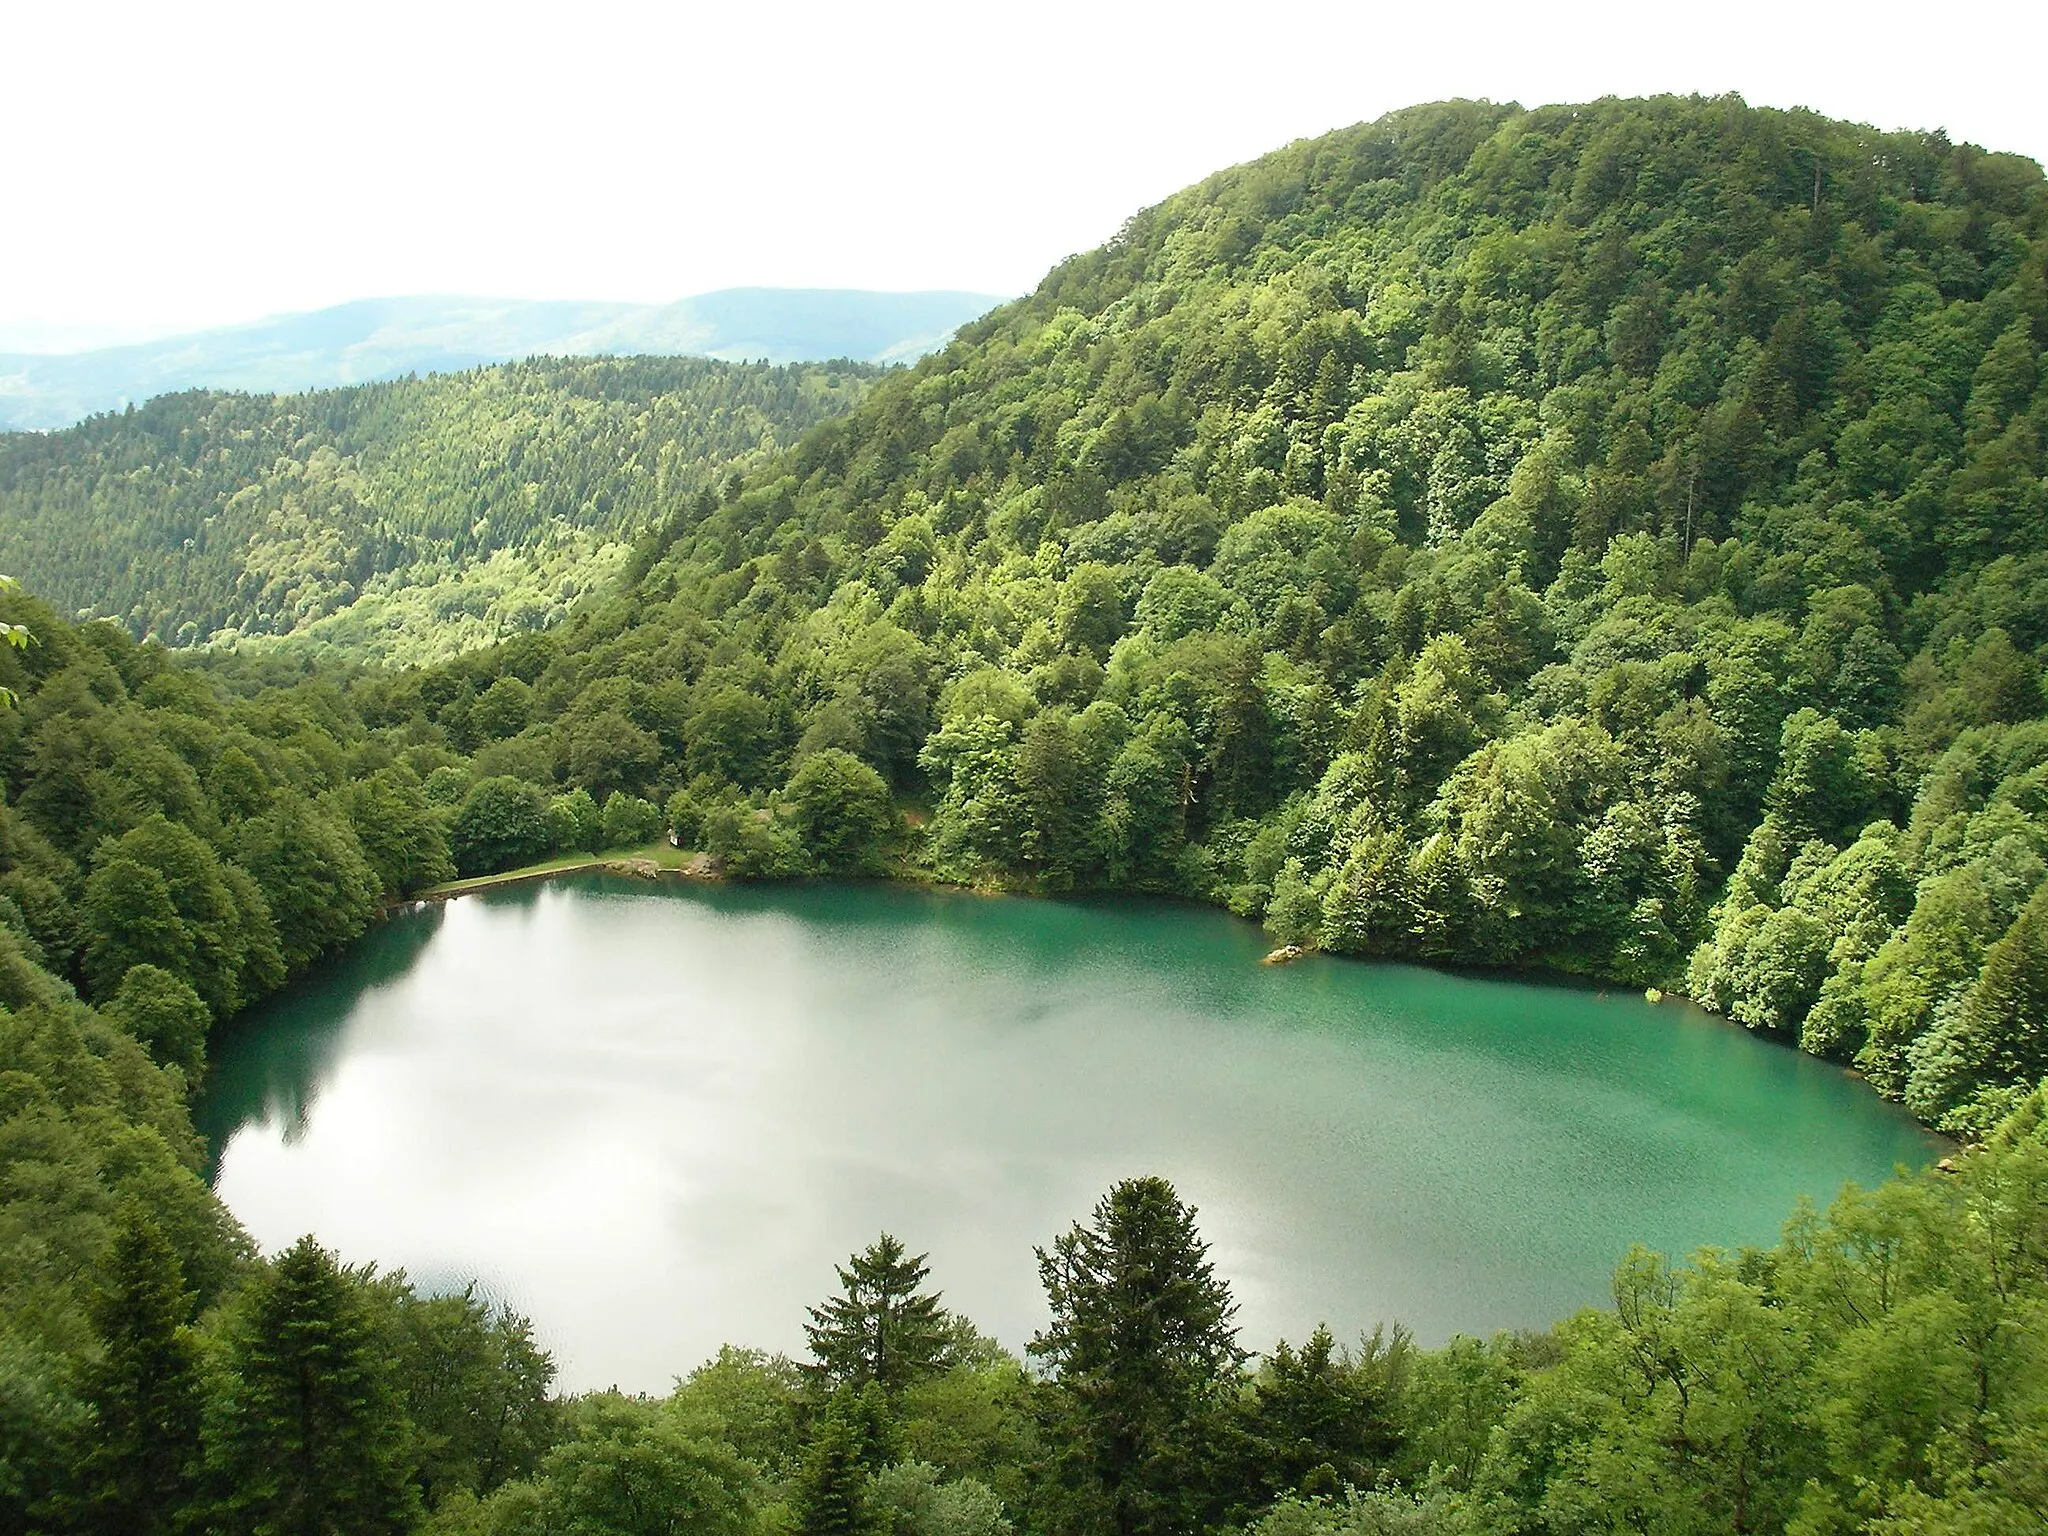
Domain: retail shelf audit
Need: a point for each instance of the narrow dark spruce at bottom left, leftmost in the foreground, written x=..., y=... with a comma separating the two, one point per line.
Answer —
x=144, y=1390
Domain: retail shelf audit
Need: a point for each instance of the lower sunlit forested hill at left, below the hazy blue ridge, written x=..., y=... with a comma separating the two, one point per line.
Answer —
x=404, y=519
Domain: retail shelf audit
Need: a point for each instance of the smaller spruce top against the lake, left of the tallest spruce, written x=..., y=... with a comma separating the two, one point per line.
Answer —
x=882, y=1328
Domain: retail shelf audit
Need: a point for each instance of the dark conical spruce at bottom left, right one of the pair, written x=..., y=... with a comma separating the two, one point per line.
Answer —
x=310, y=1435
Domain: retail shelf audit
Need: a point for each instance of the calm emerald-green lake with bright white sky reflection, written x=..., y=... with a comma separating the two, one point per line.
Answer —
x=654, y=1117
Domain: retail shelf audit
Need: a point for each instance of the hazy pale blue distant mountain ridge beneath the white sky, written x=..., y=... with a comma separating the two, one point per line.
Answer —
x=388, y=339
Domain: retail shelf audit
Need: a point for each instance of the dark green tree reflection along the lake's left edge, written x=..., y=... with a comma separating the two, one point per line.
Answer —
x=261, y=1072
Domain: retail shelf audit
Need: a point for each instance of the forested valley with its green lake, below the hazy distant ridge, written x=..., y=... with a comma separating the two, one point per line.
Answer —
x=1523, y=558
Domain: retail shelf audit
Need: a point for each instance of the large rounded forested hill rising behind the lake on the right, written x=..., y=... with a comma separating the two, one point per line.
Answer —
x=1474, y=536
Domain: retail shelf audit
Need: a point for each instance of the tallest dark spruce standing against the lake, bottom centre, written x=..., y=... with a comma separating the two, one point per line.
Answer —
x=1142, y=1349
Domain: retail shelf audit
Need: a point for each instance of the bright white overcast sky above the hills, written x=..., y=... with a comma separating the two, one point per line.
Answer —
x=171, y=167
